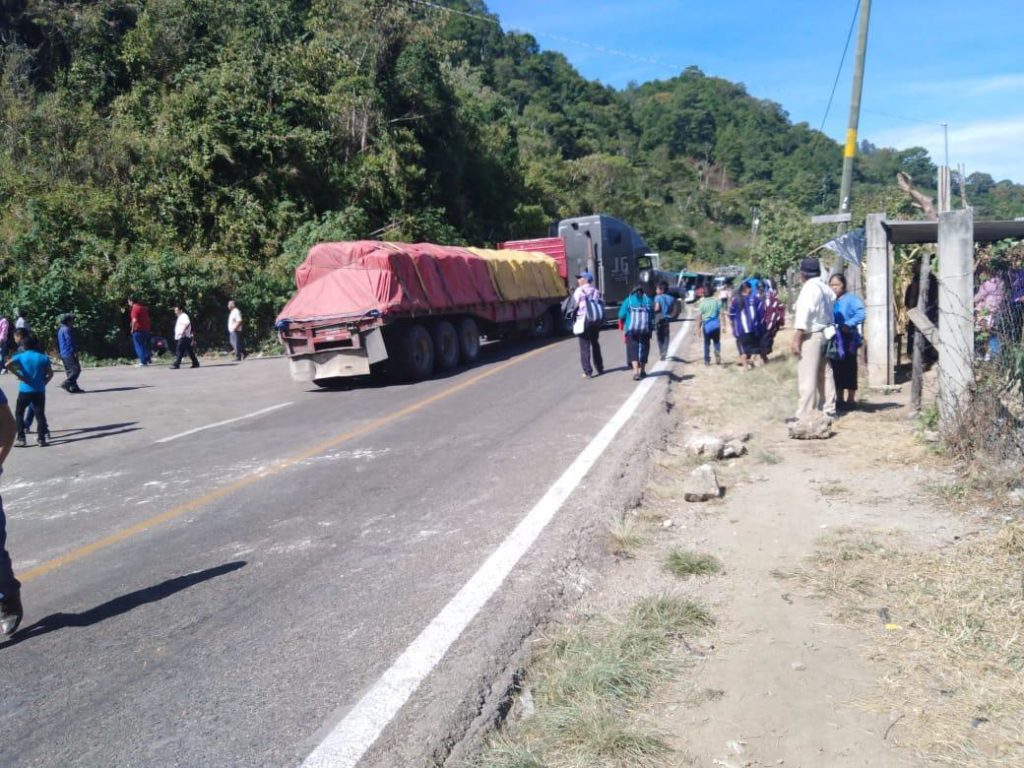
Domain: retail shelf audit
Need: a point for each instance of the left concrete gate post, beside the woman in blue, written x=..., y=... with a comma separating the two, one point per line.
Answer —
x=879, y=305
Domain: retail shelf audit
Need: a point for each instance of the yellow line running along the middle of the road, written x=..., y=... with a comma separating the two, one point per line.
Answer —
x=275, y=470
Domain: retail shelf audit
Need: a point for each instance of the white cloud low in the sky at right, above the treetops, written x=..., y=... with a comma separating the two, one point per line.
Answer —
x=995, y=147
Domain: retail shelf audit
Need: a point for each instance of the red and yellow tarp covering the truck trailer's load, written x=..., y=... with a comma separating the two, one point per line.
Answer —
x=359, y=279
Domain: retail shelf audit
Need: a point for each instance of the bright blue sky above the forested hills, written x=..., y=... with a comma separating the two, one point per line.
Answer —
x=928, y=62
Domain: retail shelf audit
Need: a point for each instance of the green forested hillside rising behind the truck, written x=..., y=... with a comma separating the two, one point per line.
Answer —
x=194, y=149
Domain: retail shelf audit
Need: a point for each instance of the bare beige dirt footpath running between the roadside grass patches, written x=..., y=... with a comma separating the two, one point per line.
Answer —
x=781, y=680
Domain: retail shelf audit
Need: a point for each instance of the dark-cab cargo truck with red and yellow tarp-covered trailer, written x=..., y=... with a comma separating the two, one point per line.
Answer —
x=367, y=307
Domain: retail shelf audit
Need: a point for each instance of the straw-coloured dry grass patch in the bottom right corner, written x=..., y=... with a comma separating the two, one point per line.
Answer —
x=950, y=626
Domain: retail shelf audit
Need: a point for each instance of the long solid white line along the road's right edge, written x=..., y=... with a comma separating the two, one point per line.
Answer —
x=353, y=738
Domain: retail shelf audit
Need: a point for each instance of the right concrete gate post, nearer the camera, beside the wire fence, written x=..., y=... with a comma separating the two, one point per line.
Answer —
x=956, y=314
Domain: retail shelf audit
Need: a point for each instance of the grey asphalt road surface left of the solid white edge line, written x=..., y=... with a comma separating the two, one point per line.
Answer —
x=222, y=598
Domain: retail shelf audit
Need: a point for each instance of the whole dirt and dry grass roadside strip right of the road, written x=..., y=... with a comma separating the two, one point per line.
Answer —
x=844, y=634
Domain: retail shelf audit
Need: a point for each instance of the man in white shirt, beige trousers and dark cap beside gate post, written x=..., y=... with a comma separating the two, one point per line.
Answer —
x=816, y=324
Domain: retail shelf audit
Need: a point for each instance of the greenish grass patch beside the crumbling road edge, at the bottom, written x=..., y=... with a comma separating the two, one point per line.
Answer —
x=588, y=681
